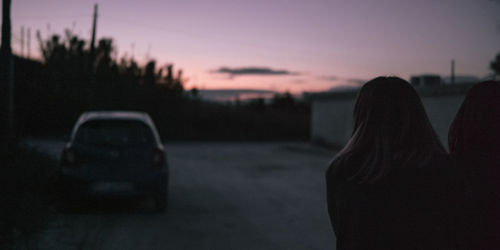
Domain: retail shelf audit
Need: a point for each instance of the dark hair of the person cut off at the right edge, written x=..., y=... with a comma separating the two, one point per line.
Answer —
x=475, y=132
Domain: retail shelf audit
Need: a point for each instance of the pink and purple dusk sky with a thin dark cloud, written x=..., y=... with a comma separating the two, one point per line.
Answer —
x=294, y=45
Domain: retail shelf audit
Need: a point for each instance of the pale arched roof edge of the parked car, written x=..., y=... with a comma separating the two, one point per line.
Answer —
x=116, y=115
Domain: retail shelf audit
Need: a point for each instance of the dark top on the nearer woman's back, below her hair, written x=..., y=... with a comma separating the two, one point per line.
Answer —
x=407, y=209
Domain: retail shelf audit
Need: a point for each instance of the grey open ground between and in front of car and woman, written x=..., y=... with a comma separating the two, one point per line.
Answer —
x=222, y=196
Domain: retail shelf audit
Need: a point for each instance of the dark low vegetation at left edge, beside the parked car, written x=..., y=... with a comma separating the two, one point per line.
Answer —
x=27, y=180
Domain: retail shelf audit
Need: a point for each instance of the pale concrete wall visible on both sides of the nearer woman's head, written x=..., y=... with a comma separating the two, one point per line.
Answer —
x=332, y=114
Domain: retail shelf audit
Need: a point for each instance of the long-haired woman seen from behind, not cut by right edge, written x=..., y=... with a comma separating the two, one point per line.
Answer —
x=392, y=185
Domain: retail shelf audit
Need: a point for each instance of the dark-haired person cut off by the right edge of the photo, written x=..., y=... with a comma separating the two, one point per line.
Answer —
x=474, y=141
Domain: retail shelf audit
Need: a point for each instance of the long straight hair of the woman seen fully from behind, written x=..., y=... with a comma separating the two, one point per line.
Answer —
x=391, y=130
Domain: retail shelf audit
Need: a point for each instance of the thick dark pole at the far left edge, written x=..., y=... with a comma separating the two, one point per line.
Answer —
x=6, y=72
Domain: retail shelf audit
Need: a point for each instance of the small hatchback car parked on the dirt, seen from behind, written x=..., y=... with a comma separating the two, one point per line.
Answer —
x=115, y=153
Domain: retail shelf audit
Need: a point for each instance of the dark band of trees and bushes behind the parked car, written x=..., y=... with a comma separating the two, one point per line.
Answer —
x=51, y=94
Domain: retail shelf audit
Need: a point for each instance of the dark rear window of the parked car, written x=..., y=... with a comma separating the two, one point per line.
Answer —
x=114, y=132
